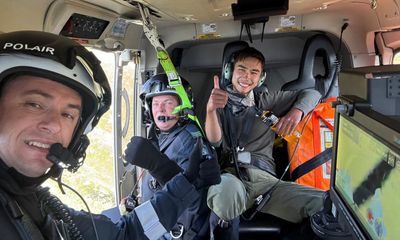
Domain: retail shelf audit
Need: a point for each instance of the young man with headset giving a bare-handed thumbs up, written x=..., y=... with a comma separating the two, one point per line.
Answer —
x=232, y=123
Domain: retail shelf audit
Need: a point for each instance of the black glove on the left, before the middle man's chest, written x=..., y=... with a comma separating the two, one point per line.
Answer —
x=141, y=152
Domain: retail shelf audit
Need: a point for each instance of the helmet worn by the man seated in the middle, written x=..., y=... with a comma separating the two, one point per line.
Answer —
x=158, y=85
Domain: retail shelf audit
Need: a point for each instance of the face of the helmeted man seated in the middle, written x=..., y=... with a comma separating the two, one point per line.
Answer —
x=163, y=106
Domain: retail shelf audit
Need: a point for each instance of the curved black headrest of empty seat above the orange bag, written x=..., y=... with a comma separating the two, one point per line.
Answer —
x=317, y=46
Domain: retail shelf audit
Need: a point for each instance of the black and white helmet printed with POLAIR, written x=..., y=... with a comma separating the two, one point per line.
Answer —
x=60, y=59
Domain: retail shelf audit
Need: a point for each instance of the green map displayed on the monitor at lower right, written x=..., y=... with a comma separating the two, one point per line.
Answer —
x=368, y=179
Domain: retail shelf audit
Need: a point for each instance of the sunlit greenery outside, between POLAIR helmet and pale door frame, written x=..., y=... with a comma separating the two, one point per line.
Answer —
x=94, y=181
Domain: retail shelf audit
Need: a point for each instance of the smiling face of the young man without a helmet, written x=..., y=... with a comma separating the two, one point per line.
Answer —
x=246, y=74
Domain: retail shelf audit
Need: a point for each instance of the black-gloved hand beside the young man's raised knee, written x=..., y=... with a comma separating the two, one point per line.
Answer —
x=203, y=169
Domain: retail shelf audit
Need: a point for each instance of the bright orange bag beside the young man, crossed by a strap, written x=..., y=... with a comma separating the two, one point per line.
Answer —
x=316, y=137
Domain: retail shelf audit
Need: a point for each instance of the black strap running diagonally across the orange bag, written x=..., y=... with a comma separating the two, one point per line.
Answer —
x=314, y=162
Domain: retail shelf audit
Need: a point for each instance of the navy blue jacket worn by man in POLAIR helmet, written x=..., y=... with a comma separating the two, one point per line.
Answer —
x=162, y=211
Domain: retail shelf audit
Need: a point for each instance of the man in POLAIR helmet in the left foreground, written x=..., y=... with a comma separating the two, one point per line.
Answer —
x=52, y=93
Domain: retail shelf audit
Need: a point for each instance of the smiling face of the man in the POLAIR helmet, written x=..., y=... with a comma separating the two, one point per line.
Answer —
x=35, y=113
